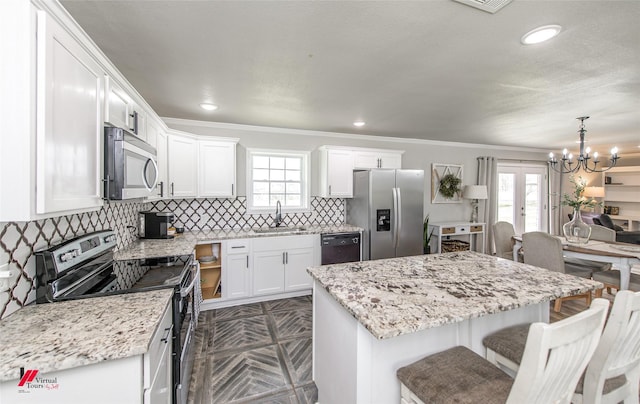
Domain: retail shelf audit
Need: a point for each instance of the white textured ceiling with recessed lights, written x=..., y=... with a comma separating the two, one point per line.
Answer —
x=417, y=69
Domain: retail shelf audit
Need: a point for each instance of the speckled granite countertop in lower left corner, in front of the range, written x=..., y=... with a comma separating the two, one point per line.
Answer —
x=64, y=335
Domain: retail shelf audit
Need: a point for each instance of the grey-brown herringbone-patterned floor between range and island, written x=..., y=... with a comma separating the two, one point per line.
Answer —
x=254, y=353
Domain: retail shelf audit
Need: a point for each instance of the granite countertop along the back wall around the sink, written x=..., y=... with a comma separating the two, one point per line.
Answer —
x=183, y=244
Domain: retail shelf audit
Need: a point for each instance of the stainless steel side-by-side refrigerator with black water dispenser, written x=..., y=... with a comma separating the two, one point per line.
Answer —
x=388, y=204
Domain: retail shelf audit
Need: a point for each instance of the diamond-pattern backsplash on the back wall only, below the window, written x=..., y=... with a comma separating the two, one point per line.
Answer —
x=206, y=214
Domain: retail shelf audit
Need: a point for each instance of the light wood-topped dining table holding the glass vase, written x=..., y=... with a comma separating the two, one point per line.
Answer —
x=622, y=256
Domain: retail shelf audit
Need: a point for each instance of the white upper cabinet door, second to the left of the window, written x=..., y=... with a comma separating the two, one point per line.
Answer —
x=183, y=167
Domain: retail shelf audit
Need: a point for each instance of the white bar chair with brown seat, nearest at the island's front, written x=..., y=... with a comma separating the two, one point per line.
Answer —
x=554, y=357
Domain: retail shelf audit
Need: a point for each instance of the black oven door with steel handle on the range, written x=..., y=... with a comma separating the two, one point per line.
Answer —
x=186, y=331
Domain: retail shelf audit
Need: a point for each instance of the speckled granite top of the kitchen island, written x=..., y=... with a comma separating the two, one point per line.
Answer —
x=403, y=295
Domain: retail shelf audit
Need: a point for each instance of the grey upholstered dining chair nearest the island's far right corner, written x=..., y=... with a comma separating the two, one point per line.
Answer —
x=545, y=251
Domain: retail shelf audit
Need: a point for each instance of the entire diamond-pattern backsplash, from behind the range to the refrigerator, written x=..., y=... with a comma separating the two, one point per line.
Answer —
x=19, y=240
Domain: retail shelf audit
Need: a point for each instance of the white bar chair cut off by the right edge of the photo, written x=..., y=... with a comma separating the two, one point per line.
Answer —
x=613, y=373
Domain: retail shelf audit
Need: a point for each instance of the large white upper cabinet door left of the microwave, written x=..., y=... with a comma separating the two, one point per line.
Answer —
x=68, y=122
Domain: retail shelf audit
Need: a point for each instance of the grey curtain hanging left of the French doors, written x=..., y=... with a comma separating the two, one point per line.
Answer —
x=488, y=175
